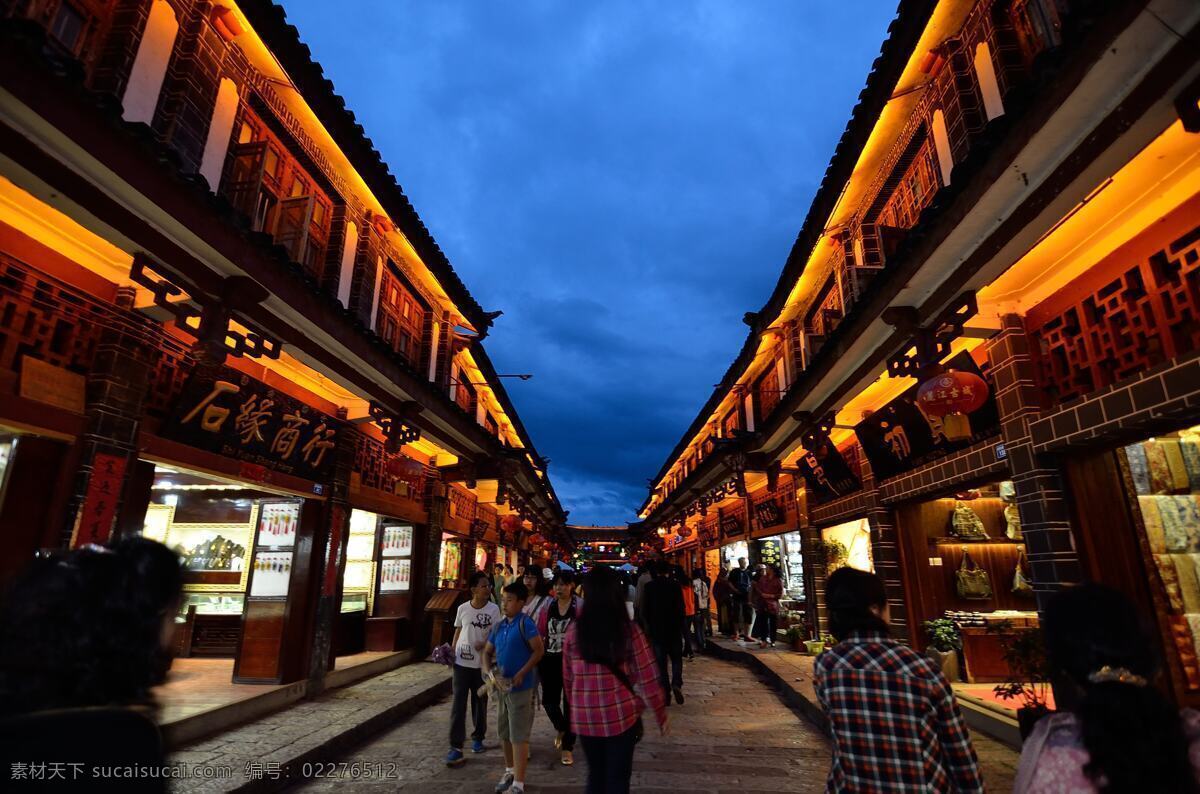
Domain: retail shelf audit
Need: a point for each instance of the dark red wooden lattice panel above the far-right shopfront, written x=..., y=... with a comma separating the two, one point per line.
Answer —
x=1144, y=316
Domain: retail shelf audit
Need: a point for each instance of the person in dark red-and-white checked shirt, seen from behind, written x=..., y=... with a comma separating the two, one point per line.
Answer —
x=892, y=714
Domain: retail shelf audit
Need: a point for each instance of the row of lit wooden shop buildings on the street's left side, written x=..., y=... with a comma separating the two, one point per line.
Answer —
x=225, y=327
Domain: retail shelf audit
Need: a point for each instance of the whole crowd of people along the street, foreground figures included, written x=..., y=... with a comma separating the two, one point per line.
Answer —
x=86, y=637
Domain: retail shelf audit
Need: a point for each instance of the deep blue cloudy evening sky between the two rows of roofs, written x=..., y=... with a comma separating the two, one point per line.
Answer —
x=623, y=179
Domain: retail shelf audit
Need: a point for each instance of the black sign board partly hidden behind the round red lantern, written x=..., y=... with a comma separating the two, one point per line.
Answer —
x=901, y=437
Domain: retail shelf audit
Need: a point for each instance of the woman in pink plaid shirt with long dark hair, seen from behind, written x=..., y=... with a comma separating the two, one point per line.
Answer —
x=611, y=678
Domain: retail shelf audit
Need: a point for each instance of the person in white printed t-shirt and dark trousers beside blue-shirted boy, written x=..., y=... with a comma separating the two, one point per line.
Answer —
x=472, y=625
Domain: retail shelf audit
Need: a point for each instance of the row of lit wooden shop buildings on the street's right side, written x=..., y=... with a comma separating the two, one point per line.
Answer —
x=1013, y=208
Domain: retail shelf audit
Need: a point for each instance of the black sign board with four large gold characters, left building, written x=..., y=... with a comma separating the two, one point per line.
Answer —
x=242, y=418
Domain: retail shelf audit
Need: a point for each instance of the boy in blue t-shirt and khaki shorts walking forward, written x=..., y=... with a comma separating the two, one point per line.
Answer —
x=514, y=651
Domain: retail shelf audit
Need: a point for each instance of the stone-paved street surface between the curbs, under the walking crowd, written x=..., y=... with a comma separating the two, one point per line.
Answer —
x=733, y=735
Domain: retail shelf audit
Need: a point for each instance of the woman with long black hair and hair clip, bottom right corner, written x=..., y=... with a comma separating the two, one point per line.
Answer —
x=1115, y=731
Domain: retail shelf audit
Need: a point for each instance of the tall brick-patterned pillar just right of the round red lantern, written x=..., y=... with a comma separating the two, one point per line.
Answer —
x=1046, y=525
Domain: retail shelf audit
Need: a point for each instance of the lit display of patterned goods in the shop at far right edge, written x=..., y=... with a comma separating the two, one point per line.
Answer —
x=1166, y=474
